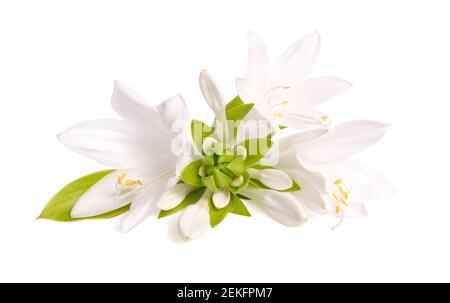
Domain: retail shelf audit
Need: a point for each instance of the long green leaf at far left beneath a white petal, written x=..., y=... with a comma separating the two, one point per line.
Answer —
x=60, y=206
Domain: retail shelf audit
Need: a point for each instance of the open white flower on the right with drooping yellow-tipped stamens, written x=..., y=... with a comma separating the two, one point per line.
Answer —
x=331, y=183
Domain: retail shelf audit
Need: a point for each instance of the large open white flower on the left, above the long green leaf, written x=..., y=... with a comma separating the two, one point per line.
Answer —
x=141, y=146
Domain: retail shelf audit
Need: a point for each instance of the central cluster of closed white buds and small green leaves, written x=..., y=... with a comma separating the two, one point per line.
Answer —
x=228, y=172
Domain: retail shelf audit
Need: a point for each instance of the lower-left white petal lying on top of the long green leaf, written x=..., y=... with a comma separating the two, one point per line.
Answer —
x=100, y=198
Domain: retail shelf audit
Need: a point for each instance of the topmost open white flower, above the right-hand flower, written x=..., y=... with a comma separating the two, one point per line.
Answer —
x=280, y=91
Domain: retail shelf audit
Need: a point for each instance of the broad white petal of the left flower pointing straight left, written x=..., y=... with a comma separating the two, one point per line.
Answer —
x=116, y=143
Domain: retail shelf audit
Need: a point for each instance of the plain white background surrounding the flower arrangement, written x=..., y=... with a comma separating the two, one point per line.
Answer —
x=58, y=60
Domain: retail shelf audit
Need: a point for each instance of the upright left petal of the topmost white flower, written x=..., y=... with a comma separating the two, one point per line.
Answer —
x=250, y=88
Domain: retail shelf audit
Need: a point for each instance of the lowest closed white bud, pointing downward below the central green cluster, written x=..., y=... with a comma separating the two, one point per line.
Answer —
x=194, y=220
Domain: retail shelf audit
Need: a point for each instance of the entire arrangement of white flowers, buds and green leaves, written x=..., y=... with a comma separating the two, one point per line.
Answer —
x=165, y=163
